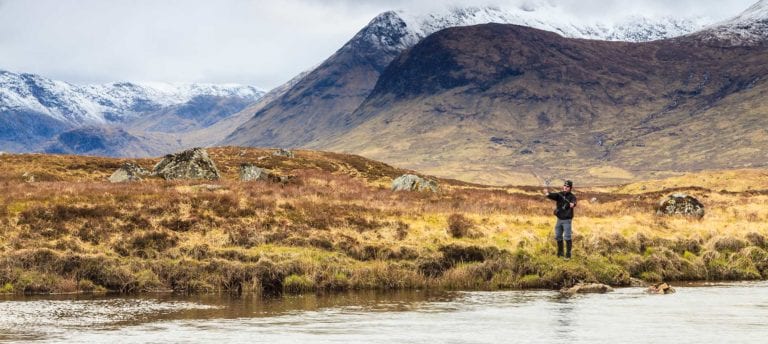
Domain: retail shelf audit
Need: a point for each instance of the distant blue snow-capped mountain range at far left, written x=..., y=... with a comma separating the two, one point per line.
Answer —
x=34, y=110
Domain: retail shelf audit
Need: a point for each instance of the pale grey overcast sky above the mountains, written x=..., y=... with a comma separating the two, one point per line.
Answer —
x=257, y=42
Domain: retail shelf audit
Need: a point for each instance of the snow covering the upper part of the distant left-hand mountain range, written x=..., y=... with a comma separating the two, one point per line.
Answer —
x=104, y=103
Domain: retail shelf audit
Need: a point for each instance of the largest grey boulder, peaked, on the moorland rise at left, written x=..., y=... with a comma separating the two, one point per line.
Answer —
x=189, y=164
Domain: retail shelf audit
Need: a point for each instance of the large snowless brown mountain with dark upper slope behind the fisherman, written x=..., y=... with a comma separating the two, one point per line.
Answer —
x=504, y=104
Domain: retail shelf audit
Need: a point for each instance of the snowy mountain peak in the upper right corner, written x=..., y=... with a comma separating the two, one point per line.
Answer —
x=748, y=28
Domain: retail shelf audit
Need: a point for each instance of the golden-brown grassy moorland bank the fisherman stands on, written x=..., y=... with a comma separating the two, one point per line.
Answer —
x=337, y=226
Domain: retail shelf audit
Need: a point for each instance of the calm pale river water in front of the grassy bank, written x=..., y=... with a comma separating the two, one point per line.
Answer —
x=730, y=313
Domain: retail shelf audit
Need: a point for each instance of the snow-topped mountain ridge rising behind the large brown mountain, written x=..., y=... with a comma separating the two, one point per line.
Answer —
x=321, y=102
